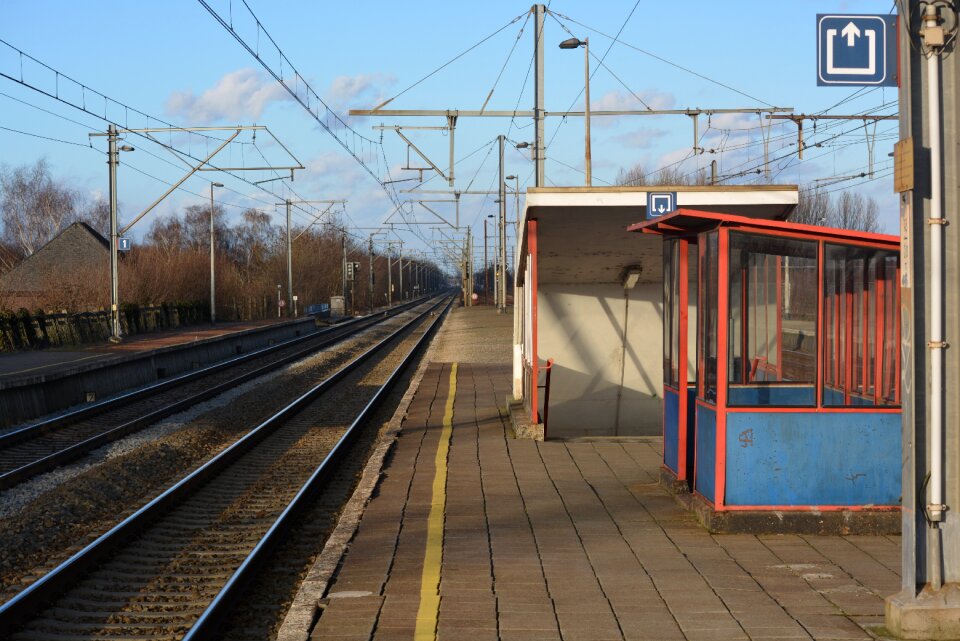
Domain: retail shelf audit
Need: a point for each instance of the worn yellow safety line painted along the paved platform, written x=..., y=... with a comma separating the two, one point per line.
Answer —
x=429, y=608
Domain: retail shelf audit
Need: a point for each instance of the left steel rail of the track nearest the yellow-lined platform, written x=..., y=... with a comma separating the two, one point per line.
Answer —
x=29, y=601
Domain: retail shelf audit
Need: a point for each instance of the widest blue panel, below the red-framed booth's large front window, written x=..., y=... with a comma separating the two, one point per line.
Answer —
x=813, y=458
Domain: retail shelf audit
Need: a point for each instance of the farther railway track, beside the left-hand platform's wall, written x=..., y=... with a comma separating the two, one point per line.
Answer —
x=43, y=446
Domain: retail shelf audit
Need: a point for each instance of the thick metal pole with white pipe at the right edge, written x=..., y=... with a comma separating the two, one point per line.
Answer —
x=928, y=607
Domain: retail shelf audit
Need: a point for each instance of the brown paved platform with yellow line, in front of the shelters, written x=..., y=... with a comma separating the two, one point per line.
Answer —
x=470, y=534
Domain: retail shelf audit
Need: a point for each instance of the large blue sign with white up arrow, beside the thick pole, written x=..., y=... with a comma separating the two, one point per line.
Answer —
x=857, y=50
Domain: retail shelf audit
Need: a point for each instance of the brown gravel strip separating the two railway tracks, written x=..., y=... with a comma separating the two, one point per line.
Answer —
x=45, y=525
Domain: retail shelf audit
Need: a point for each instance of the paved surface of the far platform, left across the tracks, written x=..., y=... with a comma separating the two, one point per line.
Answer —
x=15, y=365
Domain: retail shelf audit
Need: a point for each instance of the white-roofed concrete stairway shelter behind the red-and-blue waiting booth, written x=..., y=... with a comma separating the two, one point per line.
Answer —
x=587, y=301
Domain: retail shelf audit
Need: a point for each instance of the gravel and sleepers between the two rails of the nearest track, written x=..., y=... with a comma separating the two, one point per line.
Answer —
x=157, y=585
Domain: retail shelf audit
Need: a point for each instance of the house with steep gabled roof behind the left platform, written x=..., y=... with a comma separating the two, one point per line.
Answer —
x=71, y=271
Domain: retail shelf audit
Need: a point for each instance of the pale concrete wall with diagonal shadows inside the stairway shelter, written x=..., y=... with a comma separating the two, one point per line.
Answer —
x=597, y=387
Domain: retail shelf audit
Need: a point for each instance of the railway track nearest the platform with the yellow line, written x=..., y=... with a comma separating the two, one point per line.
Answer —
x=174, y=568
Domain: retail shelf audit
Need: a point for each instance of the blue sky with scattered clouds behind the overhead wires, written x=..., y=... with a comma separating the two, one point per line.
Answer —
x=173, y=61
